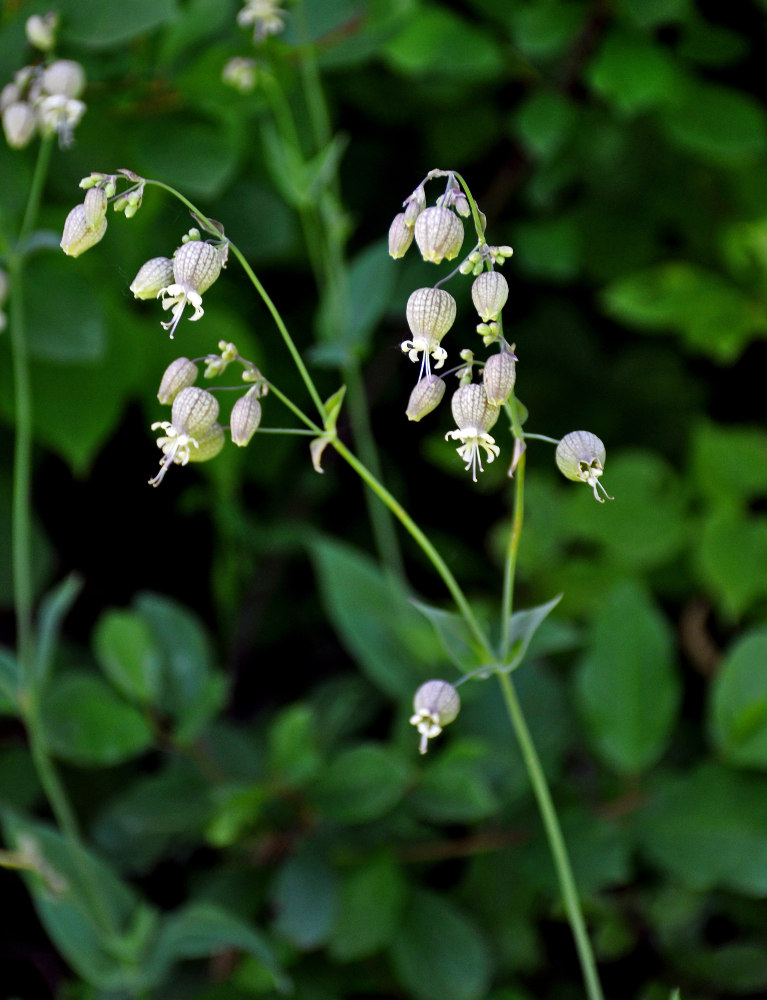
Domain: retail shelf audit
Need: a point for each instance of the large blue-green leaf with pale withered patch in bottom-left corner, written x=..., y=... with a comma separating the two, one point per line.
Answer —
x=96, y=922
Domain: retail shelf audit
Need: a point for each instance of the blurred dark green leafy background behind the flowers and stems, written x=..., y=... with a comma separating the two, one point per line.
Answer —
x=230, y=699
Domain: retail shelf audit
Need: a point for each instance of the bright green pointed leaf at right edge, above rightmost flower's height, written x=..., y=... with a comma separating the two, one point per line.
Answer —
x=713, y=315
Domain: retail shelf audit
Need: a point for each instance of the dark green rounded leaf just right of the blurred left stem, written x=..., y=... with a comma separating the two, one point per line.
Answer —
x=87, y=723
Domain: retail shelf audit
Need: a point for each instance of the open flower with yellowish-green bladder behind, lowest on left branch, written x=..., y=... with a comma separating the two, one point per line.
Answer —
x=192, y=434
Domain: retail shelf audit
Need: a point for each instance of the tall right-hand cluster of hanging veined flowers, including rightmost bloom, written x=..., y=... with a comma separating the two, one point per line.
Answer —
x=438, y=231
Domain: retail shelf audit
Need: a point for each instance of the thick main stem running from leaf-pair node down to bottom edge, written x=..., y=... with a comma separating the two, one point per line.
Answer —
x=555, y=838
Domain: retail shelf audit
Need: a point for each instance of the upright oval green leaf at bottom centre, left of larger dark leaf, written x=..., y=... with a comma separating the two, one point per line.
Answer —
x=360, y=929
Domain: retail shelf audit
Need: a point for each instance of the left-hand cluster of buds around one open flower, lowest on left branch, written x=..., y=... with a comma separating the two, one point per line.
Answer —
x=193, y=433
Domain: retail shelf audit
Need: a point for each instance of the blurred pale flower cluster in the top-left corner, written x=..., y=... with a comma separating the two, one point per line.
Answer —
x=43, y=98
